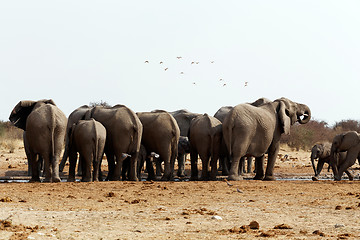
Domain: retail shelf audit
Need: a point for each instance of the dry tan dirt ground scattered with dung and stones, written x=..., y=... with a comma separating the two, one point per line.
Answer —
x=248, y=209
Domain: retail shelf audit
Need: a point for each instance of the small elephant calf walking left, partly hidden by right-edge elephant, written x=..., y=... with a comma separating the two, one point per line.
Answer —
x=321, y=151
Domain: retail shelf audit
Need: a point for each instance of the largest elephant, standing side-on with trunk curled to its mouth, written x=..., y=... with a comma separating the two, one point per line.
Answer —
x=254, y=131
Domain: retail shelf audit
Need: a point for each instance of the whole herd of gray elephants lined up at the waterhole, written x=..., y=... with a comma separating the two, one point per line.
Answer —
x=128, y=139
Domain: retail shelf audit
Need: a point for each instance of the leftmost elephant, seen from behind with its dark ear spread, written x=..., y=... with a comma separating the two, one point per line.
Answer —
x=44, y=124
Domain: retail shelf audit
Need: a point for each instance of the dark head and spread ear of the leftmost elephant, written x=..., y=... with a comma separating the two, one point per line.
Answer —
x=22, y=110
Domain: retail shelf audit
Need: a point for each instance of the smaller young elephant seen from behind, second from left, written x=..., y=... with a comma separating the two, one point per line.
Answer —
x=88, y=139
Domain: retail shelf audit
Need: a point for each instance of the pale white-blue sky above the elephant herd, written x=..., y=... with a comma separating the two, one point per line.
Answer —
x=77, y=52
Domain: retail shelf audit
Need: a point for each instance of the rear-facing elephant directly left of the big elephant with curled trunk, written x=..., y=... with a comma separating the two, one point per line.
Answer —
x=205, y=136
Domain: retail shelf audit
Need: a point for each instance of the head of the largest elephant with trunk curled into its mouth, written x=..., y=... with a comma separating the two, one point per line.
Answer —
x=290, y=112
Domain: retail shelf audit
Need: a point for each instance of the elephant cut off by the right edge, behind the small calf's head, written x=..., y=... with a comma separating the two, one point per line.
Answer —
x=349, y=142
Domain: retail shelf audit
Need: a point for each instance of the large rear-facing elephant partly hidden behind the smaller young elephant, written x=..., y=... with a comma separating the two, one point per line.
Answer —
x=123, y=137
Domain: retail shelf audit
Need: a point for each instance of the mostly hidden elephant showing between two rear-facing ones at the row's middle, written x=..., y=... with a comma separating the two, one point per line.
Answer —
x=183, y=118
